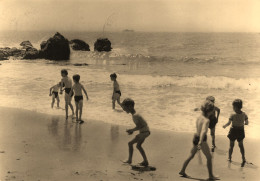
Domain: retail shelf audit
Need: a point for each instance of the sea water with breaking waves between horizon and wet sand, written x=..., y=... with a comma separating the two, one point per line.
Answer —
x=167, y=74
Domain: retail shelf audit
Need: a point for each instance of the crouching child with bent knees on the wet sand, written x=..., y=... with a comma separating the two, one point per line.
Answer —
x=141, y=125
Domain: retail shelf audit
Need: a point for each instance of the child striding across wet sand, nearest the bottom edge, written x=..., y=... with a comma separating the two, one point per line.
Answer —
x=200, y=139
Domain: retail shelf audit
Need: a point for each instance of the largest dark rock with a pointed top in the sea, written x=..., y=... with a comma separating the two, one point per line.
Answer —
x=56, y=48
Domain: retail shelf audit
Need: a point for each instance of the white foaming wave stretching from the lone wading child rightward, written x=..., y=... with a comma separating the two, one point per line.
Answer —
x=217, y=82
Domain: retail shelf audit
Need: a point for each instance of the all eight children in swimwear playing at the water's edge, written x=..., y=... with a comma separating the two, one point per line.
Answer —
x=208, y=119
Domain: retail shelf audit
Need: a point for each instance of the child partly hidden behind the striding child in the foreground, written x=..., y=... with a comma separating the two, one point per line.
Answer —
x=213, y=120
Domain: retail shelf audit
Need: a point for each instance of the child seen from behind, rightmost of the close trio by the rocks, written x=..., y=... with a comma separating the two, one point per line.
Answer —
x=77, y=88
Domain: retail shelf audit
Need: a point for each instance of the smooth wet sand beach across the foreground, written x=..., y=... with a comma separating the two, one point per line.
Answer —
x=37, y=146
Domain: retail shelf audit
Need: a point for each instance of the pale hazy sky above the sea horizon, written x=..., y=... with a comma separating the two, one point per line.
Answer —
x=140, y=15
